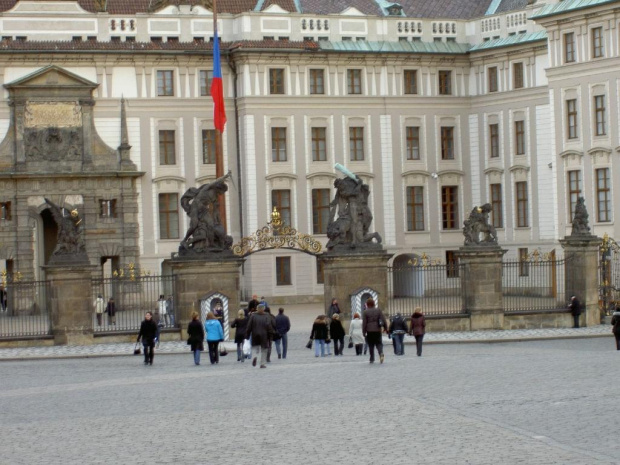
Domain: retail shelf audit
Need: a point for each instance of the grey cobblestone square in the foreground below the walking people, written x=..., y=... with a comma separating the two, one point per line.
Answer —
x=541, y=402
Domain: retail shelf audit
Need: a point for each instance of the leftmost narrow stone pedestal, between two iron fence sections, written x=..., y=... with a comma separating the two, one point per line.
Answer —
x=71, y=299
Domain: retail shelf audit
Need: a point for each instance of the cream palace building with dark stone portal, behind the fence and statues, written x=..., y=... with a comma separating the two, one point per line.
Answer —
x=439, y=106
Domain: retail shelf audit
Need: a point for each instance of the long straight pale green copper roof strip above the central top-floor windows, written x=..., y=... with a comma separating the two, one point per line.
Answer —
x=394, y=47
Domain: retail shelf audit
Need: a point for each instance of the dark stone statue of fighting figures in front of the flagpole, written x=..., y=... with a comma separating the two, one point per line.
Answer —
x=206, y=233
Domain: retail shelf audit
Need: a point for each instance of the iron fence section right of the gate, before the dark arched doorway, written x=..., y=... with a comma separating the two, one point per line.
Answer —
x=436, y=288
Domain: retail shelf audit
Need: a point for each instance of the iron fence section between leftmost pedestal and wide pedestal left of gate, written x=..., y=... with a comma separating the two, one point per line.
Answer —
x=133, y=296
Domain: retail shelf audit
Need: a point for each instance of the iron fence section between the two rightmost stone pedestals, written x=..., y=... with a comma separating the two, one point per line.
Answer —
x=534, y=283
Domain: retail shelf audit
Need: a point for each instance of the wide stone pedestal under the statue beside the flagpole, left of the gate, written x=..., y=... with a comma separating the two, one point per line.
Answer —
x=197, y=277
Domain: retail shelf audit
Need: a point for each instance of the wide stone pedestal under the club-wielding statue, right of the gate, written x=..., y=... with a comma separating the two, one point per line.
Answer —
x=346, y=273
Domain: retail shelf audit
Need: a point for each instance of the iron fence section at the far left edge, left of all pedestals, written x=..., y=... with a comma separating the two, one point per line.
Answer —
x=25, y=308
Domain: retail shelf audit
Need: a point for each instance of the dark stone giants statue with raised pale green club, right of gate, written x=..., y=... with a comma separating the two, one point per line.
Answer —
x=351, y=228
